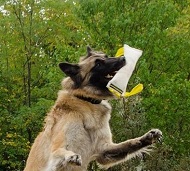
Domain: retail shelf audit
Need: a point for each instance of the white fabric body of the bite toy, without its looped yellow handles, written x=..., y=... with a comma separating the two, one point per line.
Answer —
x=118, y=84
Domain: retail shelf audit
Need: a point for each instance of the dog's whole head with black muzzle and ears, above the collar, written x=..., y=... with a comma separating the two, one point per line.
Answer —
x=91, y=75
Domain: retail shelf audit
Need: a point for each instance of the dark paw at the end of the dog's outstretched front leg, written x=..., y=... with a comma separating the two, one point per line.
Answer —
x=152, y=136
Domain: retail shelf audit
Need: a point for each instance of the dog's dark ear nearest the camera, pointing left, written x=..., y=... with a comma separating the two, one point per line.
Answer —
x=73, y=71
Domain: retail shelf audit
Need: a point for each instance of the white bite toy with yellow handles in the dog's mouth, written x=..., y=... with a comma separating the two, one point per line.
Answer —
x=118, y=84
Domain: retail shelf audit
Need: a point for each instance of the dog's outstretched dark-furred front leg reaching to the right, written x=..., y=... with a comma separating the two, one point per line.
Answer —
x=117, y=153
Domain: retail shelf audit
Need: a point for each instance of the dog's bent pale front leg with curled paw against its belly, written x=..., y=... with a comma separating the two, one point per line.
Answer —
x=61, y=157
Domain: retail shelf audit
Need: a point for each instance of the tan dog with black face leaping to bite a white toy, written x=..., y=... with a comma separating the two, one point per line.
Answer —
x=76, y=130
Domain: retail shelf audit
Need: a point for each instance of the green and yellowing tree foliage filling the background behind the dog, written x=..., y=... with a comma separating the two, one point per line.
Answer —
x=37, y=35
